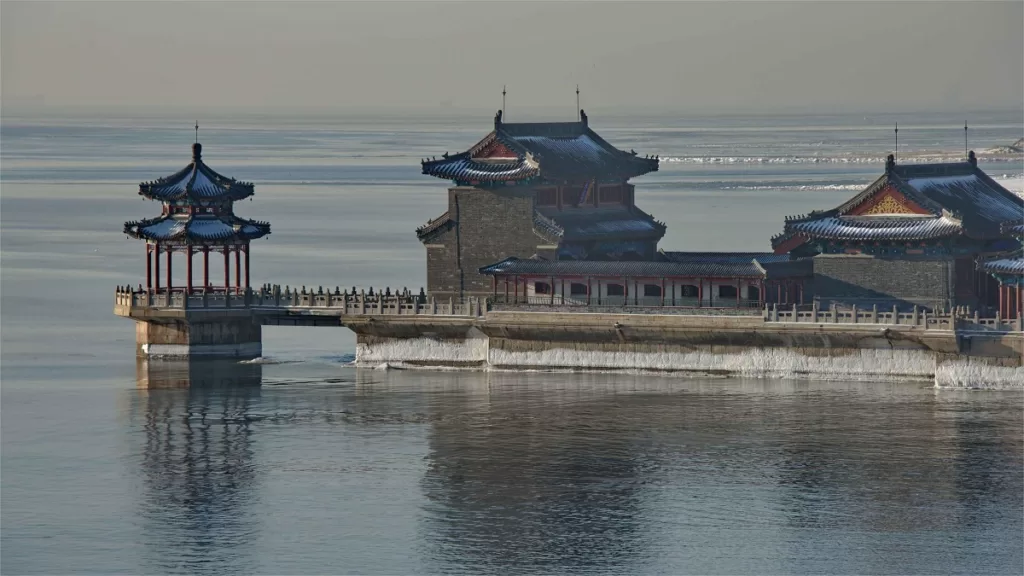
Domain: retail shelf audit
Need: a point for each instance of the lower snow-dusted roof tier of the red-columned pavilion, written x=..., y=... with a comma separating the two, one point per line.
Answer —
x=198, y=229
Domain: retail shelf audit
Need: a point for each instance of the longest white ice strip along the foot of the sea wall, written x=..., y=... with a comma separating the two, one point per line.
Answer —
x=756, y=363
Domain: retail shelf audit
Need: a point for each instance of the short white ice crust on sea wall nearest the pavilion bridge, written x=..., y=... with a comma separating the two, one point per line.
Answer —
x=421, y=350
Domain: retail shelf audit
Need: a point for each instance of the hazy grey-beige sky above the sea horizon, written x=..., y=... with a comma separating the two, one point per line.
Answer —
x=686, y=56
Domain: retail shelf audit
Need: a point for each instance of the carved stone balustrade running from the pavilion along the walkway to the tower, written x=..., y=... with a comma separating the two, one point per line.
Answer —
x=303, y=301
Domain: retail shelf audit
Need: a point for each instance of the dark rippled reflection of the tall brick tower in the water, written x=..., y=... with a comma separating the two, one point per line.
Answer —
x=545, y=483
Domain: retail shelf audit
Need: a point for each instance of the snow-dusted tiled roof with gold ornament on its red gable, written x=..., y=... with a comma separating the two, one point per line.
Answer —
x=915, y=203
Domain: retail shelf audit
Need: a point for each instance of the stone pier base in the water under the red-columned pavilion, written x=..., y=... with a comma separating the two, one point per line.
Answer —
x=199, y=337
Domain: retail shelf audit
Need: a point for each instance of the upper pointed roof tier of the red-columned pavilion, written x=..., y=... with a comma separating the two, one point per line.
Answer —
x=197, y=182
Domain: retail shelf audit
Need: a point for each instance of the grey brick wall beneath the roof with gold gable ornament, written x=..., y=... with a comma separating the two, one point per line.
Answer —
x=865, y=280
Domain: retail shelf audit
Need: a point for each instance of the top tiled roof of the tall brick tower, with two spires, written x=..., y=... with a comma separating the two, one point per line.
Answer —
x=553, y=151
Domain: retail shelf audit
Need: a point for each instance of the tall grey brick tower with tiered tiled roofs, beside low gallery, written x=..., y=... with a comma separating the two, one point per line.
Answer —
x=552, y=190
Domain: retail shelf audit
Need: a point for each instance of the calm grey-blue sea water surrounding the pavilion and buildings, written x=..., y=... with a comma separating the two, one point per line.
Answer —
x=326, y=469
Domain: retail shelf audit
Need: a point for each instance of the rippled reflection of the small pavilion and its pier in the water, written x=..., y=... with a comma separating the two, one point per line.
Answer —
x=196, y=459
